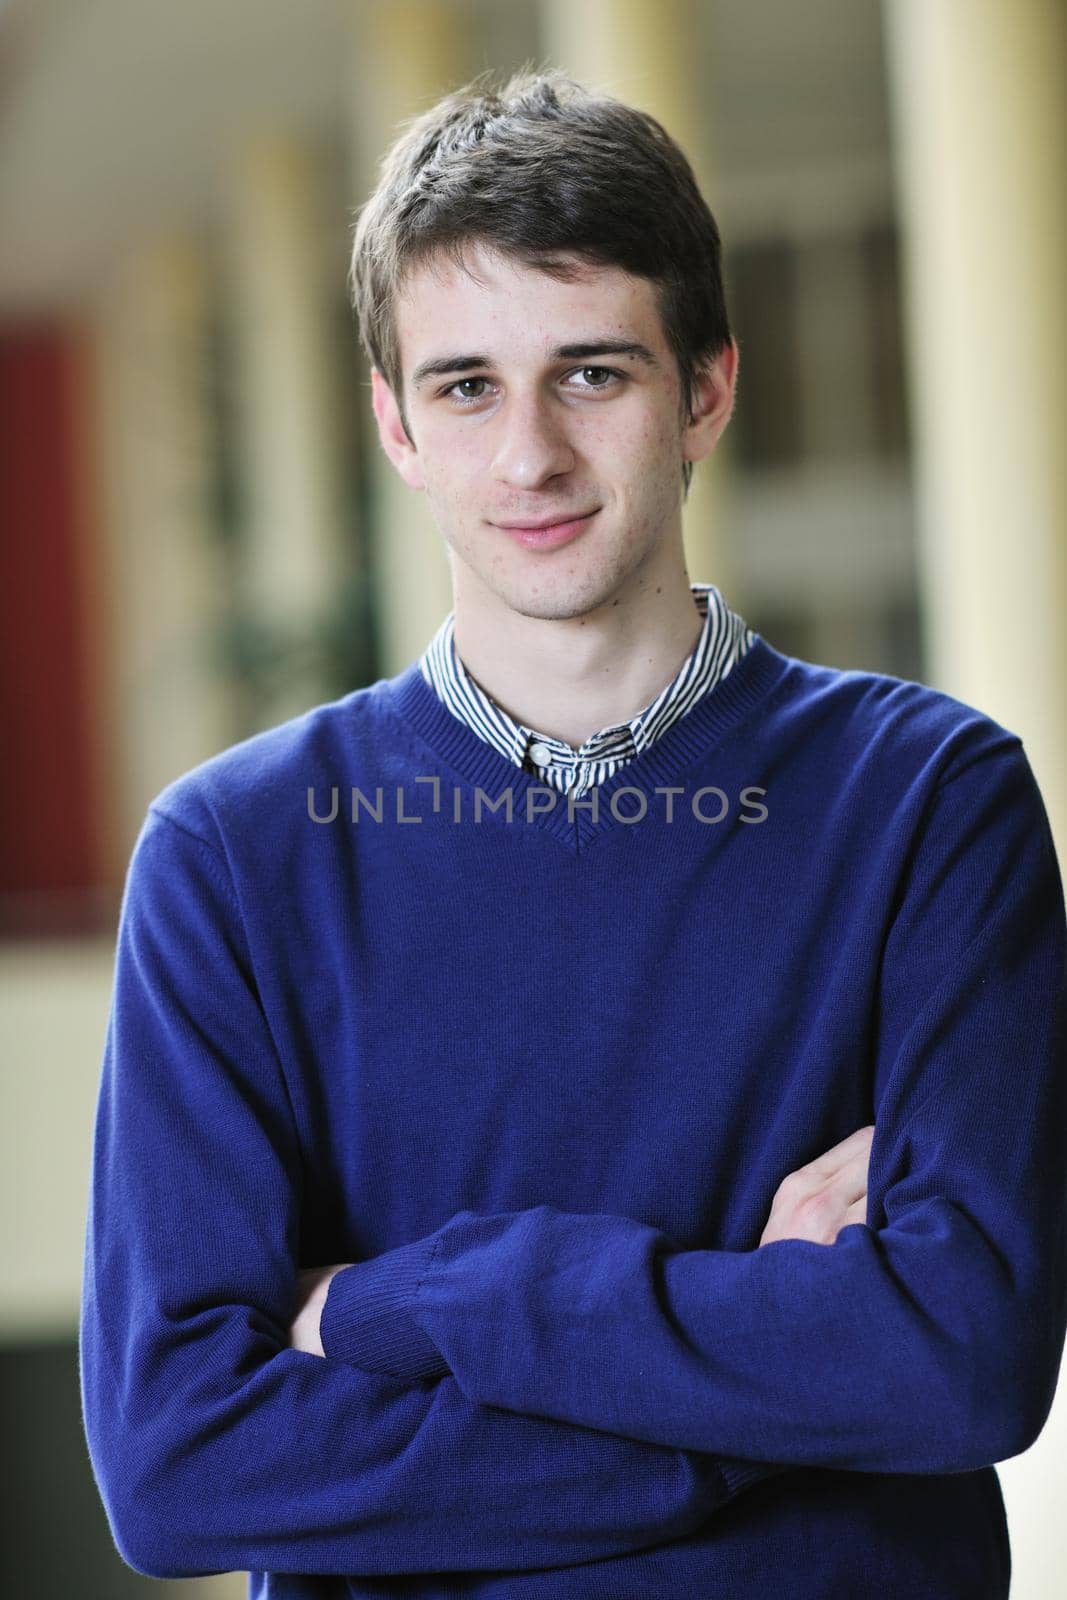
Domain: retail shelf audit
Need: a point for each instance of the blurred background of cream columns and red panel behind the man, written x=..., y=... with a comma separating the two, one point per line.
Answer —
x=199, y=535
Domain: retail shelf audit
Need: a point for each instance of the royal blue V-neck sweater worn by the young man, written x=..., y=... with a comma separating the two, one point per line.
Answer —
x=537, y=1073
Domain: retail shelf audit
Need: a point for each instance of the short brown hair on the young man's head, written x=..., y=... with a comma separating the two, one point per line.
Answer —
x=543, y=170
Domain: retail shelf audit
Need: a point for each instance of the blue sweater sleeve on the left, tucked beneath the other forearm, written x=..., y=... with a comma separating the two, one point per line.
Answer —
x=215, y=1444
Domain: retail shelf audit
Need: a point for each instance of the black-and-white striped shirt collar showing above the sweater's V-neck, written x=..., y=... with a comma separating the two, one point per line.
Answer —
x=721, y=647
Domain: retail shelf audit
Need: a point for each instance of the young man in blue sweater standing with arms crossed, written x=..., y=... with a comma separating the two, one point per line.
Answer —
x=585, y=1116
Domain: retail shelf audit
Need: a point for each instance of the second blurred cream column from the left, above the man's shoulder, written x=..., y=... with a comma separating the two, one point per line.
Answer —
x=282, y=279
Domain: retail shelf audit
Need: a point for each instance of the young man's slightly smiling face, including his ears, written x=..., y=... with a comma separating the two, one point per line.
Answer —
x=535, y=401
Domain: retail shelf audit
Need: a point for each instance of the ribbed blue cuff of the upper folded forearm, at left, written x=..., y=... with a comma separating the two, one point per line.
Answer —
x=367, y=1319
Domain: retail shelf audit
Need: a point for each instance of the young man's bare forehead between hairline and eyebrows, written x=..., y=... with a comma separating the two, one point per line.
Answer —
x=494, y=300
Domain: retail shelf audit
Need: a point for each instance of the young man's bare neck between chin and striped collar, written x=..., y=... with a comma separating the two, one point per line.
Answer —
x=575, y=676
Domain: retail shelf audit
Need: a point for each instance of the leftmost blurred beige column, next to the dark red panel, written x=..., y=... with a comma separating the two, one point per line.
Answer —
x=166, y=586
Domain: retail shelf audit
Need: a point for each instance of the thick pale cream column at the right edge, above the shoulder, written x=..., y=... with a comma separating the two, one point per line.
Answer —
x=981, y=113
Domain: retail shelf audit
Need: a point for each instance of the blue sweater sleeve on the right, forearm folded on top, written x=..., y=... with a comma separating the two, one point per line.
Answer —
x=925, y=1340
